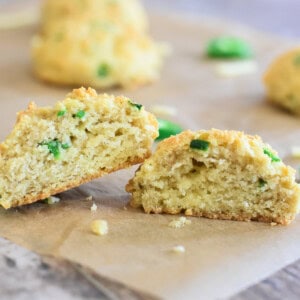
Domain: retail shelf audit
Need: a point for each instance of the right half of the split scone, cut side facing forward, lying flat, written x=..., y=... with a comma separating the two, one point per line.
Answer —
x=217, y=174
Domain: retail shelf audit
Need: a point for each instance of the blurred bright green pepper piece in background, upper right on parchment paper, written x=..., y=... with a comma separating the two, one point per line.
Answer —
x=228, y=47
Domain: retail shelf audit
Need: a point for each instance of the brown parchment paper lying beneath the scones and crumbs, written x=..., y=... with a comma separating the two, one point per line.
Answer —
x=222, y=257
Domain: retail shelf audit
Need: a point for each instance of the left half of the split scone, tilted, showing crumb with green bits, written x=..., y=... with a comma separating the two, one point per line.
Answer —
x=85, y=136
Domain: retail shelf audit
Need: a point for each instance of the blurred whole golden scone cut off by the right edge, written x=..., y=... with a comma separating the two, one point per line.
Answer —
x=282, y=81
